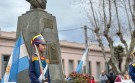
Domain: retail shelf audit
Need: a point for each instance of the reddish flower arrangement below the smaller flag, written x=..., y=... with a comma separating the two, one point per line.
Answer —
x=79, y=78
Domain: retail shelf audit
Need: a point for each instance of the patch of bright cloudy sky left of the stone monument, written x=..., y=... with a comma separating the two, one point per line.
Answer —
x=10, y=10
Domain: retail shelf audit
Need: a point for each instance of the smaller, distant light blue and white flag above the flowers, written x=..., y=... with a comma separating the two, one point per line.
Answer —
x=82, y=63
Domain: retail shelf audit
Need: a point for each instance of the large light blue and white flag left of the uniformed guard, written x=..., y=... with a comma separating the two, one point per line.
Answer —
x=18, y=62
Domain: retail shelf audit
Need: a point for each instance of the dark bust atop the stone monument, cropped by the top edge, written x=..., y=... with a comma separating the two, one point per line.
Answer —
x=37, y=4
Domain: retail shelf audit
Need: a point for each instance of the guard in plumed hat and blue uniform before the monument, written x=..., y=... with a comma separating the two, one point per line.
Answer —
x=38, y=62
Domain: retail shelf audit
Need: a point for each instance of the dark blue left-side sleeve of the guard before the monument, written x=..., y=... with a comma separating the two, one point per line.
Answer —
x=32, y=76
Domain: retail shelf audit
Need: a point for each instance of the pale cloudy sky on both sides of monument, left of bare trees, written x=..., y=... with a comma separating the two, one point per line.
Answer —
x=68, y=16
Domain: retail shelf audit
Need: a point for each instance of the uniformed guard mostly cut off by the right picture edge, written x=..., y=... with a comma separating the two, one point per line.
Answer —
x=132, y=68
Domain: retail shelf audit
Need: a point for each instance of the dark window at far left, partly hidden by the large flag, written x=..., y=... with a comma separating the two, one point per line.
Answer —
x=5, y=59
